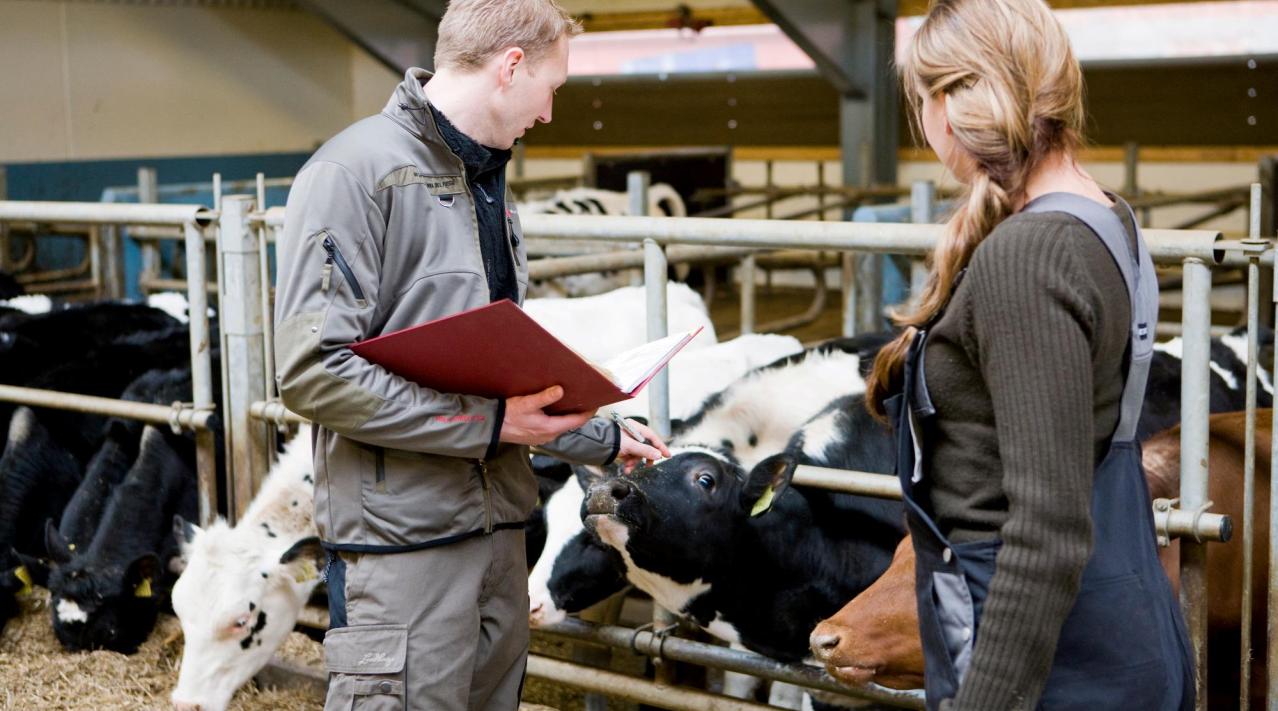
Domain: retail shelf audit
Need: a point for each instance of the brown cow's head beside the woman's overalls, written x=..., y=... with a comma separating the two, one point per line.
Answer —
x=876, y=636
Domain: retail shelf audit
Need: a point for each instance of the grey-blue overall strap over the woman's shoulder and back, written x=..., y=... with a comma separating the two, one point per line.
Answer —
x=1138, y=273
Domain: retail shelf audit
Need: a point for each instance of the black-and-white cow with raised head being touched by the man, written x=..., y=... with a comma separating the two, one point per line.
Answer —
x=742, y=553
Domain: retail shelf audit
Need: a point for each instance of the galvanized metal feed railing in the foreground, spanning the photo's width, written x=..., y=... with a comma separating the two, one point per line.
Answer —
x=245, y=293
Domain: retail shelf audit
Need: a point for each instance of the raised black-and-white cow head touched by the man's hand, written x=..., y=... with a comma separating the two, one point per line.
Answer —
x=682, y=519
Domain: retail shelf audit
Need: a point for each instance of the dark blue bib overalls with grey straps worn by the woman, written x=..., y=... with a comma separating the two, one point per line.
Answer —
x=1124, y=644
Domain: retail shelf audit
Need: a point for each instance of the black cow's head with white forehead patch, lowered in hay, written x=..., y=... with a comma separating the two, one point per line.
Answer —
x=102, y=607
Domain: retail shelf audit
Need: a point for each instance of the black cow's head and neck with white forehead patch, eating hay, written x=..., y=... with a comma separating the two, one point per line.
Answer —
x=109, y=595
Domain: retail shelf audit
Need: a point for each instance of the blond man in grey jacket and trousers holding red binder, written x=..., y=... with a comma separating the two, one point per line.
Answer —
x=421, y=497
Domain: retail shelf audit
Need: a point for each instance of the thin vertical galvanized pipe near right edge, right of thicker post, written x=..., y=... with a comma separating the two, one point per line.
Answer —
x=1249, y=457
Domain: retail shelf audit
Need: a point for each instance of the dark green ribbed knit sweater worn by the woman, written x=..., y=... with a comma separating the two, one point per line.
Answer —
x=1026, y=371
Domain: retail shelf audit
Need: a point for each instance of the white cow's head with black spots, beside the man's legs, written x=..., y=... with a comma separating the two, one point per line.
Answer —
x=237, y=600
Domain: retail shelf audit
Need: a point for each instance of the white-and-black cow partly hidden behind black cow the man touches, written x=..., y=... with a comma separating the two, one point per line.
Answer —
x=752, y=419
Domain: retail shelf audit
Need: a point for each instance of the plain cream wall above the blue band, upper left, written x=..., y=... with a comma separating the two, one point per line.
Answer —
x=104, y=80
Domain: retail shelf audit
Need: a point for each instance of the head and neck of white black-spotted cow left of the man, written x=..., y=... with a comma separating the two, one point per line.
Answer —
x=242, y=589
